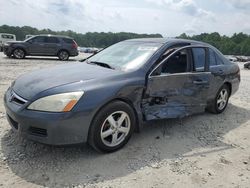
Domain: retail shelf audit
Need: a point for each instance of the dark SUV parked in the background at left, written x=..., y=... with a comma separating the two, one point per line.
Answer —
x=42, y=45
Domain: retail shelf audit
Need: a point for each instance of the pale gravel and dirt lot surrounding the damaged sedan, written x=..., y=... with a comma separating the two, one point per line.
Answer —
x=205, y=150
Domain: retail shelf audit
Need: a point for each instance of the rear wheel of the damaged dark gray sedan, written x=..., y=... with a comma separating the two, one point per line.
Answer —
x=220, y=102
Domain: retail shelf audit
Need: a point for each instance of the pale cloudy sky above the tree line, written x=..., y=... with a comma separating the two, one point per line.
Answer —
x=167, y=17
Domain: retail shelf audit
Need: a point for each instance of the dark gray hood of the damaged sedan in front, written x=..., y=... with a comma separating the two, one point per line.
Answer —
x=29, y=85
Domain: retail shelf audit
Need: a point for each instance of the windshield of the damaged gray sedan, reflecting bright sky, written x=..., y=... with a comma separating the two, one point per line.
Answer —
x=126, y=56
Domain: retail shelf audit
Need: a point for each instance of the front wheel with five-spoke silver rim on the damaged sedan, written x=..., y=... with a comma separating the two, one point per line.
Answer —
x=106, y=133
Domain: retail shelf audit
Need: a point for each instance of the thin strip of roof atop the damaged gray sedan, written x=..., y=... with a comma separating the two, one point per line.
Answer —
x=168, y=41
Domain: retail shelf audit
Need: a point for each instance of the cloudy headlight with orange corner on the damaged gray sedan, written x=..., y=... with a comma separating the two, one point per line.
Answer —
x=57, y=103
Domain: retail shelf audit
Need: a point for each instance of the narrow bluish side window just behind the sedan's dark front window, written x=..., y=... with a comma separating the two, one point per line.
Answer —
x=199, y=58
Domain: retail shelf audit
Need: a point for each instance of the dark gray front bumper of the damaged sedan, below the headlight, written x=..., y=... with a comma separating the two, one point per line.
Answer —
x=46, y=127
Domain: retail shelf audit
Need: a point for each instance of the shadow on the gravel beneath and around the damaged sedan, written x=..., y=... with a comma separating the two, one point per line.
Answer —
x=158, y=141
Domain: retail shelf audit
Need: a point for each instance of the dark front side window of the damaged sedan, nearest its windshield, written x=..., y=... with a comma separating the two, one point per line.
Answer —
x=177, y=63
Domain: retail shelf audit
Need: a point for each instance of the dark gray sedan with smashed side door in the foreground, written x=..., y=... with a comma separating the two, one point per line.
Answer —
x=104, y=99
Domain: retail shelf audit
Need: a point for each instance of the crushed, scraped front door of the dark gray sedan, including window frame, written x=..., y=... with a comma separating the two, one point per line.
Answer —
x=178, y=86
